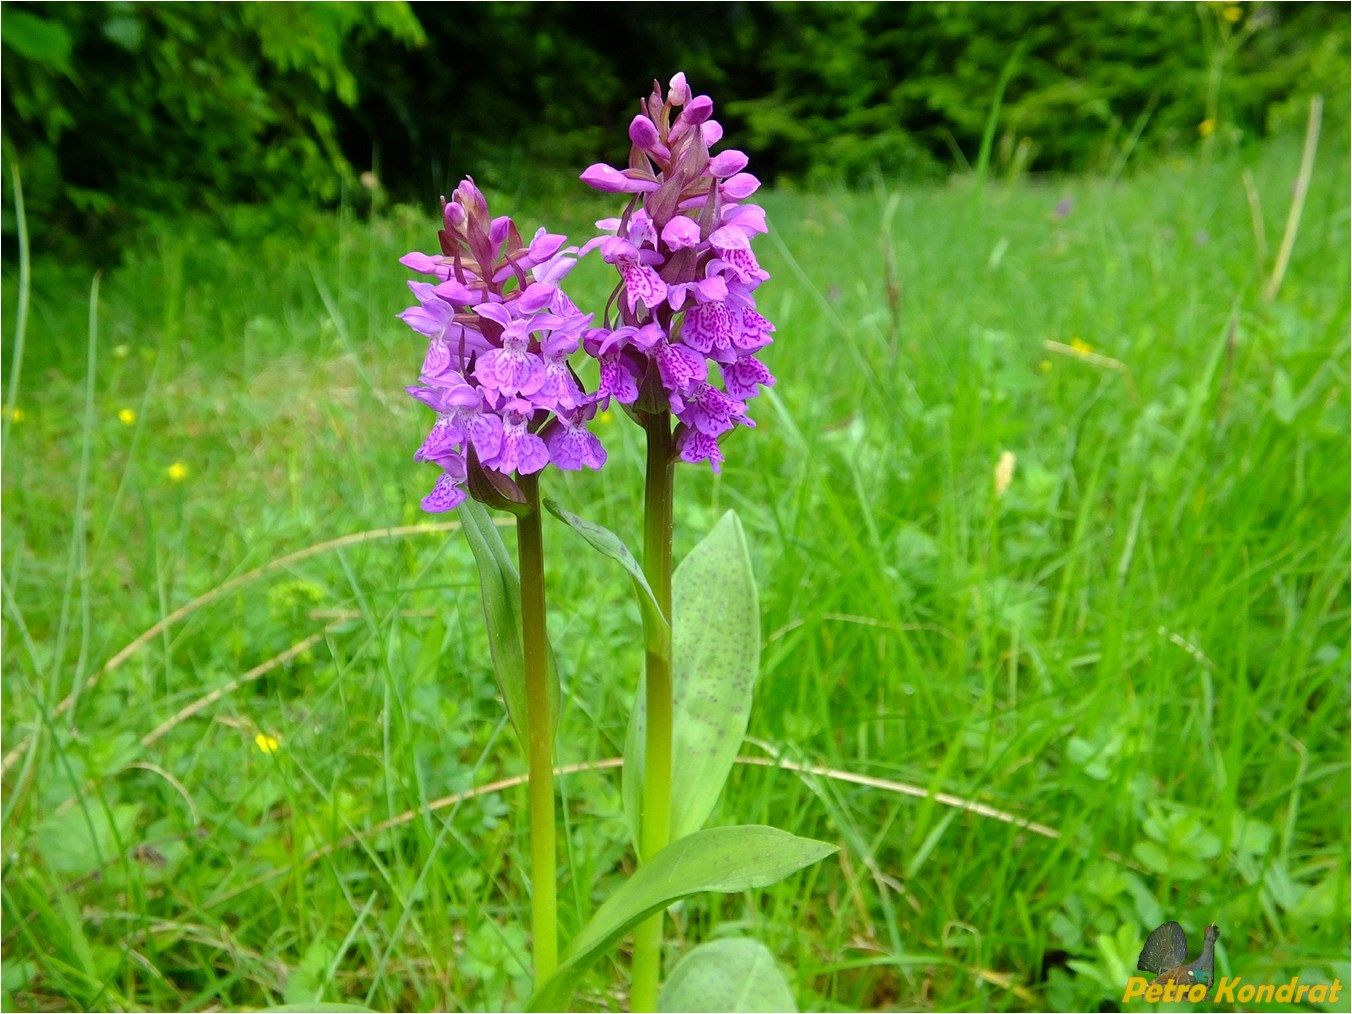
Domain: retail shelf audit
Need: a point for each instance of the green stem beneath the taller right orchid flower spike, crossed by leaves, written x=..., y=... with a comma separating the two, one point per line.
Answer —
x=658, y=751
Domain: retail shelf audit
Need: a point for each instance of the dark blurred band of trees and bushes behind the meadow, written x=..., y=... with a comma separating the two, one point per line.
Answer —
x=121, y=112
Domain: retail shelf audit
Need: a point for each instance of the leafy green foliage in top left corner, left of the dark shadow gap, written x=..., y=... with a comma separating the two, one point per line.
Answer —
x=118, y=112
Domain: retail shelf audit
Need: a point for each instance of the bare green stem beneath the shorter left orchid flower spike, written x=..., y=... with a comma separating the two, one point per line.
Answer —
x=540, y=736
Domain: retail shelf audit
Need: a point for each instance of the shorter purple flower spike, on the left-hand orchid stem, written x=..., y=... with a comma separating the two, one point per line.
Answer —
x=500, y=333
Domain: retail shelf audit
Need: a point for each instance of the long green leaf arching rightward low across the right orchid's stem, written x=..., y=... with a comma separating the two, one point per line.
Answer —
x=721, y=859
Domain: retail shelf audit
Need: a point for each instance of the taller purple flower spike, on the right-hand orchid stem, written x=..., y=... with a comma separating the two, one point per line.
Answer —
x=687, y=275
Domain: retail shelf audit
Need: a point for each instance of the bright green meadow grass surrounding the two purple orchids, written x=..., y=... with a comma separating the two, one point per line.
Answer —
x=1142, y=644
